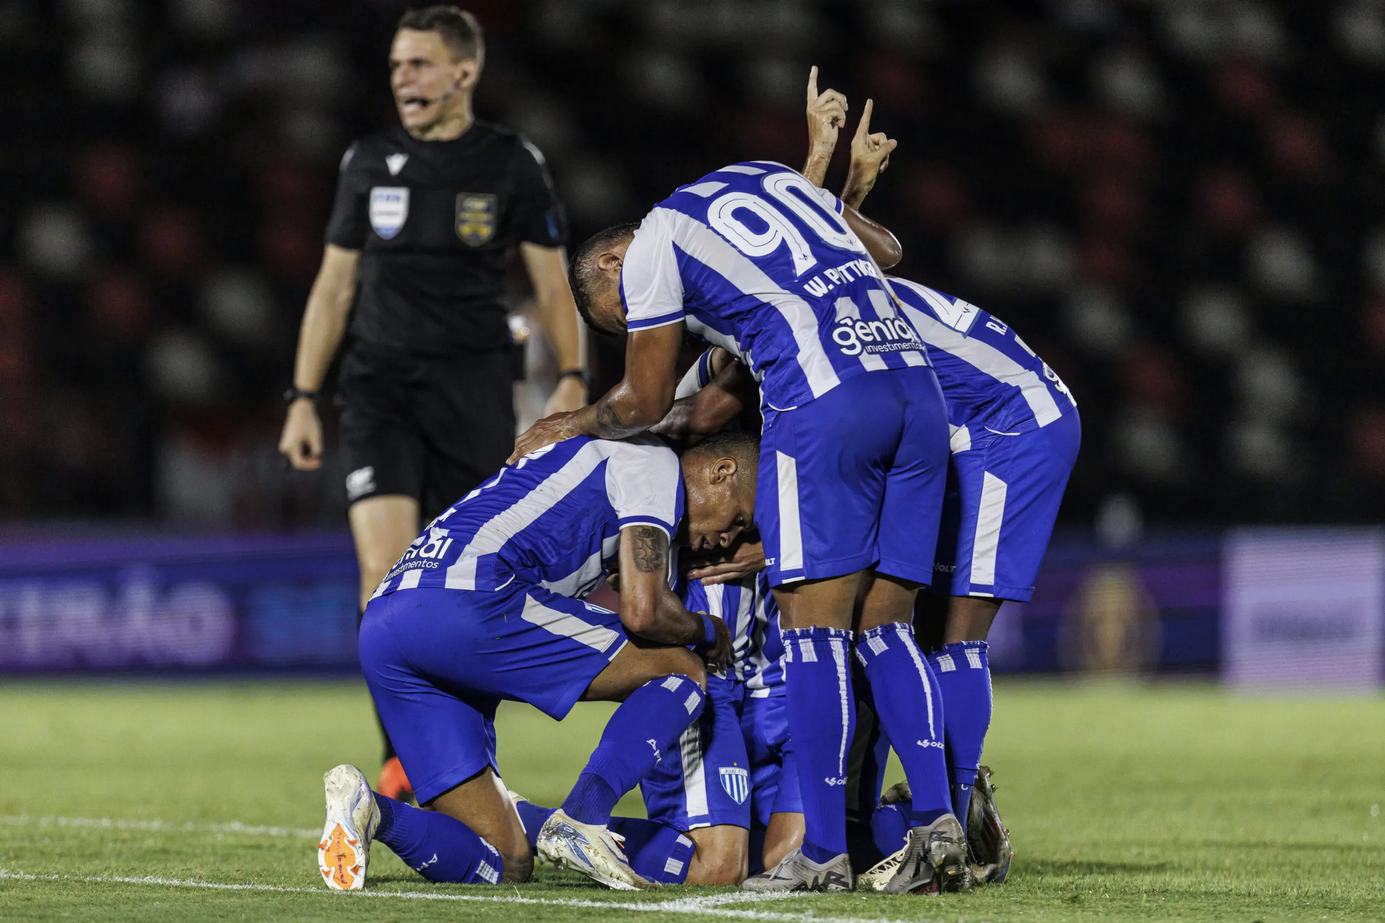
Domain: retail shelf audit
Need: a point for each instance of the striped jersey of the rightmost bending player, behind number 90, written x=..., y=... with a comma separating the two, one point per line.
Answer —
x=991, y=379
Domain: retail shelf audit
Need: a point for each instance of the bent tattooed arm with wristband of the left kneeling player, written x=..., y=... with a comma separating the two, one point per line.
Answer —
x=650, y=609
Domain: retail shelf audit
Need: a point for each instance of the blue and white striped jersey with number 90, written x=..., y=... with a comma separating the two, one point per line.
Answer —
x=760, y=261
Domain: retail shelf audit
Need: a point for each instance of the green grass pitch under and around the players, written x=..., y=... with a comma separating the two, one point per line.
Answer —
x=1127, y=803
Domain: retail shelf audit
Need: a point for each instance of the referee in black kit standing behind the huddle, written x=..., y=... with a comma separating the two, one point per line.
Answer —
x=422, y=229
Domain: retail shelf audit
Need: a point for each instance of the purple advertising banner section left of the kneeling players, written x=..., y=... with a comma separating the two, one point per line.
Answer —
x=171, y=605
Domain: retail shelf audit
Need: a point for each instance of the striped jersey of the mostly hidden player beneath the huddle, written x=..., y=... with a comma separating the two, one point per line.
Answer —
x=750, y=612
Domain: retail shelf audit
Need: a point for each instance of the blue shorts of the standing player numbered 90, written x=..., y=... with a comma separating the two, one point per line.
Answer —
x=855, y=479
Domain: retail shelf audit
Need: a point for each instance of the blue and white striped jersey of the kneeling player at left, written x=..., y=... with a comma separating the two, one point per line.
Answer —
x=553, y=519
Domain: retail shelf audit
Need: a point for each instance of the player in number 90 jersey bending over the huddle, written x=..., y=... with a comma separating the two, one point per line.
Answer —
x=854, y=461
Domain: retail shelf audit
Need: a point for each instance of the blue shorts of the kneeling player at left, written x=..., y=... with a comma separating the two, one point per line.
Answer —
x=438, y=662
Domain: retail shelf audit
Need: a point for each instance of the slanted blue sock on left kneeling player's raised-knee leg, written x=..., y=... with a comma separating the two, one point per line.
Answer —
x=642, y=730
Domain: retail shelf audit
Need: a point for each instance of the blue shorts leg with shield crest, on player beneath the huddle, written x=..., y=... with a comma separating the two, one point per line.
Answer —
x=707, y=782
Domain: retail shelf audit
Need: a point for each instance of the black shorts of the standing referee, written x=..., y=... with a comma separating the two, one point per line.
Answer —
x=431, y=429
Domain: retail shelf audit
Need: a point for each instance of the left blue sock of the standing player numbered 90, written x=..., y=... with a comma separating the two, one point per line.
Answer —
x=822, y=721
